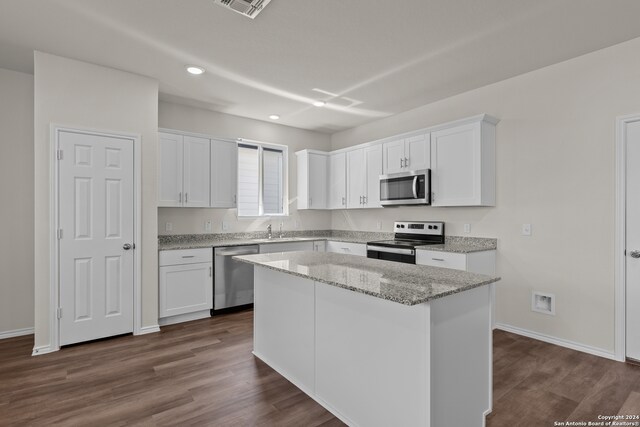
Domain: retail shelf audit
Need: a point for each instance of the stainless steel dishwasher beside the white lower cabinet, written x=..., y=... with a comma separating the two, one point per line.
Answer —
x=233, y=280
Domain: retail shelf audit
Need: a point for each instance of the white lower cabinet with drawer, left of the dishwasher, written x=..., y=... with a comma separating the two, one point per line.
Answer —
x=186, y=281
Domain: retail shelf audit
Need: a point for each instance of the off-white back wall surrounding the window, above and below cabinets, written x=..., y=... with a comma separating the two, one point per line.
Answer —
x=192, y=220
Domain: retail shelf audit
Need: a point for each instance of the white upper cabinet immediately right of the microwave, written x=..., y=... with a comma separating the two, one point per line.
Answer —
x=463, y=164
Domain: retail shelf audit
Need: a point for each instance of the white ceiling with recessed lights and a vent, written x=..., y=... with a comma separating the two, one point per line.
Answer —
x=367, y=58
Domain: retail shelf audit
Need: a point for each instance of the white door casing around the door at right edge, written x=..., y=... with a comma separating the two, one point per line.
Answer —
x=620, y=236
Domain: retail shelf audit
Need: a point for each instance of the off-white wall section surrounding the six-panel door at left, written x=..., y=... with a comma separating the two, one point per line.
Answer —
x=81, y=95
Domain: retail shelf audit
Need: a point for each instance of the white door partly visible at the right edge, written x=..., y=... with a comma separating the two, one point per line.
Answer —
x=633, y=240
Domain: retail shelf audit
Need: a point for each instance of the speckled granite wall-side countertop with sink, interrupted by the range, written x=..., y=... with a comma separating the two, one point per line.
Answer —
x=455, y=244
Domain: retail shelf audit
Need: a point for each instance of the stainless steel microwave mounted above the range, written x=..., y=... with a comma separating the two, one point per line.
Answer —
x=406, y=188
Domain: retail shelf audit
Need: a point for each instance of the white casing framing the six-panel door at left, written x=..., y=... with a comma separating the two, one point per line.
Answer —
x=54, y=290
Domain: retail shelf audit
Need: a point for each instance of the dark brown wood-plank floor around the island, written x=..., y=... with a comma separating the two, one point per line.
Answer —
x=203, y=373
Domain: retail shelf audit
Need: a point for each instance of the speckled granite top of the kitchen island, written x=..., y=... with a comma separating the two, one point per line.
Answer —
x=406, y=284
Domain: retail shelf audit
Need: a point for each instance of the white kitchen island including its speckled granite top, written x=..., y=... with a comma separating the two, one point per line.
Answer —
x=377, y=343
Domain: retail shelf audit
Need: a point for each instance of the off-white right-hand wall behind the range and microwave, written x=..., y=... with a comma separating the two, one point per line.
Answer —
x=555, y=170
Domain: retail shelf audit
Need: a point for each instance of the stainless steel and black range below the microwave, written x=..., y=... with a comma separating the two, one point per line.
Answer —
x=408, y=235
